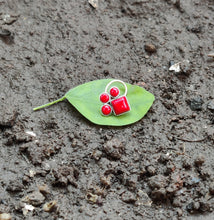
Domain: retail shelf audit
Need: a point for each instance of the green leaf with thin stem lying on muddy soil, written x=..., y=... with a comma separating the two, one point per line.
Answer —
x=85, y=98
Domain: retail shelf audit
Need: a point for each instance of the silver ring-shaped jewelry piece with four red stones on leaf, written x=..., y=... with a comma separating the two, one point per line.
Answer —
x=113, y=102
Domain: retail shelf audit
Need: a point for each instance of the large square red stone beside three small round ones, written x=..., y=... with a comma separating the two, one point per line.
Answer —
x=120, y=105
